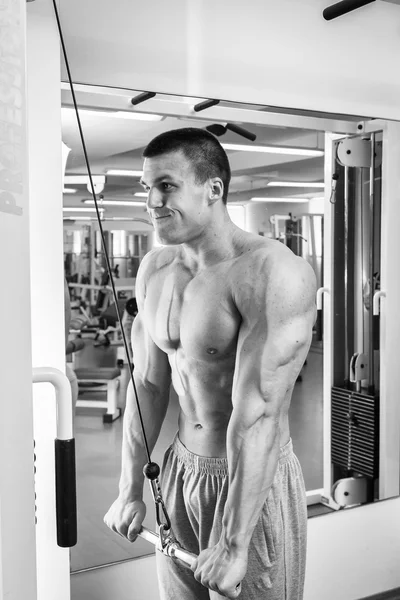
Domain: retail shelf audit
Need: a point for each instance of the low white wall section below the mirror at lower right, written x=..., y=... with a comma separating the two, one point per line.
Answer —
x=354, y=553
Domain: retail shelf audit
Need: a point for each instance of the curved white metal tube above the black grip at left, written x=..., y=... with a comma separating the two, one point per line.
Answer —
x=63, y=398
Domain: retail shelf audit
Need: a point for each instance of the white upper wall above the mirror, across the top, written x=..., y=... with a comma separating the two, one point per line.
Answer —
x=275, y=52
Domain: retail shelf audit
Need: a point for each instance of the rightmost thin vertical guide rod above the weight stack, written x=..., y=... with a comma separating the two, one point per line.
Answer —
x=371, y=265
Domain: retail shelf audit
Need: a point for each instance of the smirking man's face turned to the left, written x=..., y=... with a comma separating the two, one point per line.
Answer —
x=177, y=205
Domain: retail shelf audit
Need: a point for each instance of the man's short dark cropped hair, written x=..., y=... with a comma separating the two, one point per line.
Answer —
x=201, y=148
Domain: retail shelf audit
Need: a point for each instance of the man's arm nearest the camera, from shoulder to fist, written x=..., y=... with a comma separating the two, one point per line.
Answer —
x=273, y=343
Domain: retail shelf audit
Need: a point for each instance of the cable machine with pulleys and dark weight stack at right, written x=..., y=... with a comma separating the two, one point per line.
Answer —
x=356, y=266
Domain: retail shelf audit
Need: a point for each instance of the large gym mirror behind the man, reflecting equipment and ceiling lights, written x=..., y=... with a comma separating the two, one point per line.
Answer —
x=290, y=181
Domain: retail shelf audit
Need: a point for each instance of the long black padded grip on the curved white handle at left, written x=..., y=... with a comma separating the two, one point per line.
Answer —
x=66, y=493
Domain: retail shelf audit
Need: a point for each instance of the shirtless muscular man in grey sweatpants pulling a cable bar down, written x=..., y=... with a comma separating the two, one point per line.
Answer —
x=227, y=316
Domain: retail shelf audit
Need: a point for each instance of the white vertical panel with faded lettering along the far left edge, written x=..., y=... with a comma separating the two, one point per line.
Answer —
x=17, y=501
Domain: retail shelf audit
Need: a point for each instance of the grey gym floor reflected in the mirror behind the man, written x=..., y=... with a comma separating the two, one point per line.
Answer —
x=98, y=457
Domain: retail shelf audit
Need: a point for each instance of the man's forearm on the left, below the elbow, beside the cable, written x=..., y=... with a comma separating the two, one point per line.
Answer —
x=153, y=404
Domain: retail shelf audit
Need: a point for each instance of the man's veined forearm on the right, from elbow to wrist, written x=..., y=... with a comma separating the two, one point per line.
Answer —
x=253, y=454
